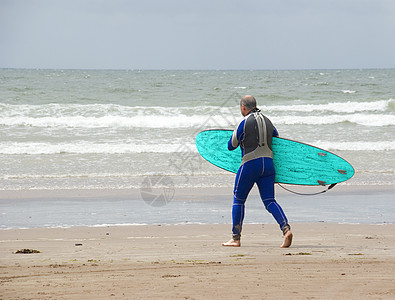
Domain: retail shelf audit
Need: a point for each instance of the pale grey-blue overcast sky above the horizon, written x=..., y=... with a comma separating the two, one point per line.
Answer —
x=200, y=34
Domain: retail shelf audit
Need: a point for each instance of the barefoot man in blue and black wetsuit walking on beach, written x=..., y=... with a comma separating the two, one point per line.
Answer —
x=254, y=135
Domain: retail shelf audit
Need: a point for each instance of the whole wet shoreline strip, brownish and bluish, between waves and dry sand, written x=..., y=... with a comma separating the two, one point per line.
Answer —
x=92, y=208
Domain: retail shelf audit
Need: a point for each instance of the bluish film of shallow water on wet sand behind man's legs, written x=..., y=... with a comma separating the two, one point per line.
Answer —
x=355, y=208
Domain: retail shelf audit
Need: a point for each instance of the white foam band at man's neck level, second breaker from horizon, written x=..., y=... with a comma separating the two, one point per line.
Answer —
x=185, y=121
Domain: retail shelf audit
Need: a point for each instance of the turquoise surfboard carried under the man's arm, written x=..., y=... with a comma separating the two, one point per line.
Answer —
x=295, y=162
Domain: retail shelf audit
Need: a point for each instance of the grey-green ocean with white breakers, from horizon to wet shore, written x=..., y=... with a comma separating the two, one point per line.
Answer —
x=134, y=129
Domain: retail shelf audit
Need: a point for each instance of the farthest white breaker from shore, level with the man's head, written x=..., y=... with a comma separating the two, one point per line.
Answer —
x=95, y=113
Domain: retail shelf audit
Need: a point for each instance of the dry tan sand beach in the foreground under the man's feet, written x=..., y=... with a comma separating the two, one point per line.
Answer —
x=326, y=261
